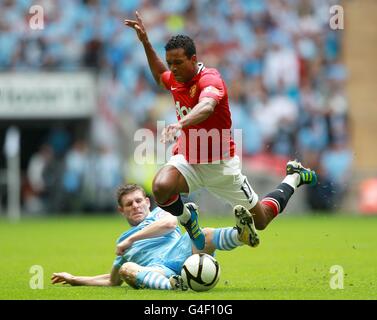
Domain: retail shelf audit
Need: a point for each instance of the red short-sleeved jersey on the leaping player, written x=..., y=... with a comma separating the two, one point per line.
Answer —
x=210, y=140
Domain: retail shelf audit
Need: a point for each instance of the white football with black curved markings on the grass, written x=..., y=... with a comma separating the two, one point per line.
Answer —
x=201, y=272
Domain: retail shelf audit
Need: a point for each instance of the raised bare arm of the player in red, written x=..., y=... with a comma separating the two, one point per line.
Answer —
x=155, y=63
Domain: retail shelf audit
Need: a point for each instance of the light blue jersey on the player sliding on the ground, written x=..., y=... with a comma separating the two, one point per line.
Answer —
x=152, y=250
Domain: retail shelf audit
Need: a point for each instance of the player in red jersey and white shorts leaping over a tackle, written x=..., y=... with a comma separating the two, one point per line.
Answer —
x=204, y=153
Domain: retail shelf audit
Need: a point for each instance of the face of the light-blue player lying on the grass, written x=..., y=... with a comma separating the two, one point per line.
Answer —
x=135, y=207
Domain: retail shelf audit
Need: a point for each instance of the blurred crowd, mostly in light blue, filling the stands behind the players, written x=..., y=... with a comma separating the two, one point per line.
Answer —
x=280, y=59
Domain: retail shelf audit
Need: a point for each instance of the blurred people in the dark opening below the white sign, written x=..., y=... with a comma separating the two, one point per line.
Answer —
x=80, y=180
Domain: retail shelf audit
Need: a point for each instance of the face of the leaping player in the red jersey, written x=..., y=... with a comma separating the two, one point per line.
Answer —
x=183, y=68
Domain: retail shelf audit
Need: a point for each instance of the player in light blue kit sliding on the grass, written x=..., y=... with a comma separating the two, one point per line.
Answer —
x=152, y=252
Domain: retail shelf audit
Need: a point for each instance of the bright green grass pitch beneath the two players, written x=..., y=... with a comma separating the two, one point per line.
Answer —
x=293, y=260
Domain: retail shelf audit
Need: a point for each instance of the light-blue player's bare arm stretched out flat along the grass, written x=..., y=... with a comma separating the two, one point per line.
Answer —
x=105, y=280
